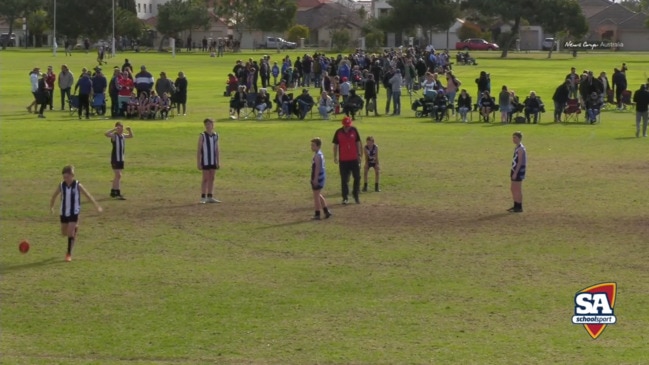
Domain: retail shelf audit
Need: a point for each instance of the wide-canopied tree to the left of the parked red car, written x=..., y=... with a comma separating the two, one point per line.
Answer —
x=428, y=15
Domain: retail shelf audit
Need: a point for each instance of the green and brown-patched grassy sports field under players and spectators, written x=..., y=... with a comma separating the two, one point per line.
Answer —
x=431, y=270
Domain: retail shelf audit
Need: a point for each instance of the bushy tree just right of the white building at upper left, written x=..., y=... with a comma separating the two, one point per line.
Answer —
x=178, y=15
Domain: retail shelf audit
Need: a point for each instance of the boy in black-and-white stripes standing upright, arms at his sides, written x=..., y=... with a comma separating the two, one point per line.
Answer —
x=207, y=160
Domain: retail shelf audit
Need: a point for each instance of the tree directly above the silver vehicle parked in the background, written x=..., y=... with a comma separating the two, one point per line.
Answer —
x=274, y=15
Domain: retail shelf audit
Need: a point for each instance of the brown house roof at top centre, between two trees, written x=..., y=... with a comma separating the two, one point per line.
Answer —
x=326, y=14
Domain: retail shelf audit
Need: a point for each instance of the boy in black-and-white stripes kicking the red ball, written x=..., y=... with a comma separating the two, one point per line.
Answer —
x=70, y=190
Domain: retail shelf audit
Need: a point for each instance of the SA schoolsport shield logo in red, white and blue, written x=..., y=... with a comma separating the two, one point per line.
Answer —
x=594, y=308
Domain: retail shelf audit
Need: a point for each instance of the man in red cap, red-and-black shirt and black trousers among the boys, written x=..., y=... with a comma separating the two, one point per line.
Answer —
x=348, y=150
